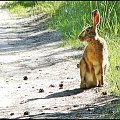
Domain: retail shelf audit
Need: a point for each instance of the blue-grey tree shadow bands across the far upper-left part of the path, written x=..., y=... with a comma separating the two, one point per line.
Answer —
x=28, y=34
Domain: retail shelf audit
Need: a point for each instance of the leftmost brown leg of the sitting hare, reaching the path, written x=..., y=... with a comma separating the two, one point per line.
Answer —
x=82, y=67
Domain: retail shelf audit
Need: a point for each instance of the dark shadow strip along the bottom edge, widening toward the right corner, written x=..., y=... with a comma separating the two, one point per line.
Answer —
x=105, y=110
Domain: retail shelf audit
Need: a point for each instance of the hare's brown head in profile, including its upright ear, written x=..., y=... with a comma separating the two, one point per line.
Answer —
x=91, y=32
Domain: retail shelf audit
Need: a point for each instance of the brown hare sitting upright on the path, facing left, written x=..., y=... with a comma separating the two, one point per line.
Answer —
x=95, y=57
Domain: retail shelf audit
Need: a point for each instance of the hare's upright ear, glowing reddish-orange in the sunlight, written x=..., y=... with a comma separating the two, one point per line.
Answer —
x=96, y=18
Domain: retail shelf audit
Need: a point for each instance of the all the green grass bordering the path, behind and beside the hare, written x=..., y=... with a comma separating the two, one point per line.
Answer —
x=70, y=17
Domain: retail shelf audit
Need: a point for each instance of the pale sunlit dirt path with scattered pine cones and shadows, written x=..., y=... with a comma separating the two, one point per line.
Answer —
x=28, y=48
